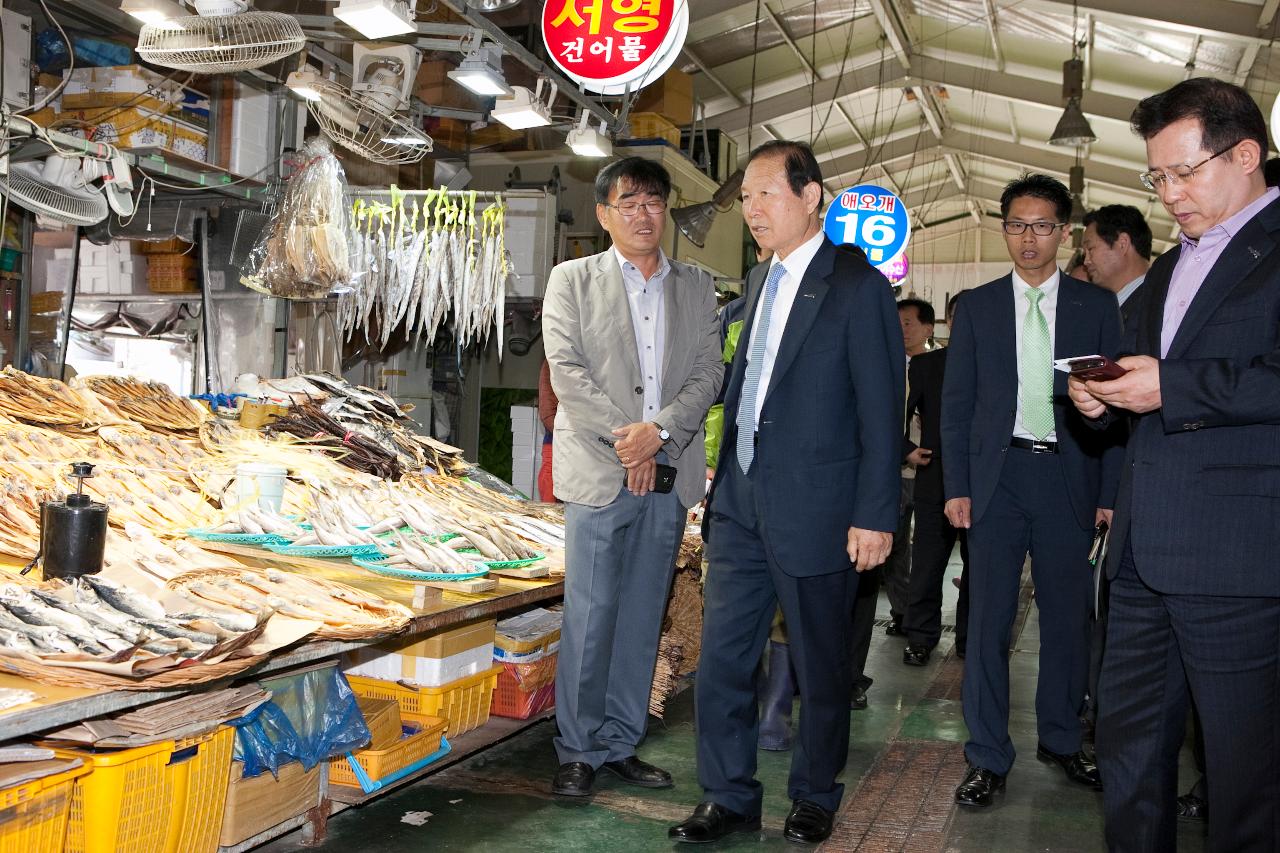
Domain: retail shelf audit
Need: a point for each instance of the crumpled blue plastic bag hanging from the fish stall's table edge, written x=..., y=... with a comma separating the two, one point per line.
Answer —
x=312, y=717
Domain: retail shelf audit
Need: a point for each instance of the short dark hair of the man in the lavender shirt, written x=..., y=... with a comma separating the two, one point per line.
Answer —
x=1227, y=113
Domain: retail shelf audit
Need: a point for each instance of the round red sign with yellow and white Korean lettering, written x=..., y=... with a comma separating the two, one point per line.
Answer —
x=611, y=45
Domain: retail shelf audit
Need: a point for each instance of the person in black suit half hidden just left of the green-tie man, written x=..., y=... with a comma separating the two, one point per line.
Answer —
x=935, y=539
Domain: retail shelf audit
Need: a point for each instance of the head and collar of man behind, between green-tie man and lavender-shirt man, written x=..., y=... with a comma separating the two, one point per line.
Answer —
x=1118, y=253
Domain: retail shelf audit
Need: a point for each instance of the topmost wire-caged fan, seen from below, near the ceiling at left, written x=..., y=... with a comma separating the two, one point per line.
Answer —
x=222, y=39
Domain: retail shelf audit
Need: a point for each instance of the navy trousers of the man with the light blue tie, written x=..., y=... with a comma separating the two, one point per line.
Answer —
x=744, y=587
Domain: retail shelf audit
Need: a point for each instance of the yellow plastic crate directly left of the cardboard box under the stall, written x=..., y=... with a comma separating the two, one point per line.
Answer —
x=166, y=797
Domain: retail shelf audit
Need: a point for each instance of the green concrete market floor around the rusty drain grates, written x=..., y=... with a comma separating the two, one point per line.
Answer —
x=499, y=801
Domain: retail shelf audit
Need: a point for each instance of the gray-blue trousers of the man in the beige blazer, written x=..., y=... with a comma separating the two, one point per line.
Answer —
x=620, y=560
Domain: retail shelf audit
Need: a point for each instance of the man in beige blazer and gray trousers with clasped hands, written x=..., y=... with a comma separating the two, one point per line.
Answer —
x=634, y=349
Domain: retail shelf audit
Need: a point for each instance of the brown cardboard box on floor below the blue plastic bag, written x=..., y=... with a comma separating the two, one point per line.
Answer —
x=259, y=804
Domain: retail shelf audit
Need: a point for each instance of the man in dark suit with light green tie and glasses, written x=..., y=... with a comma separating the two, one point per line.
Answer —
x=1026, y=476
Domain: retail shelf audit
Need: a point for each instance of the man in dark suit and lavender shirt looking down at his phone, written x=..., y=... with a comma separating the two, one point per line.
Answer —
x=1195, y=580
